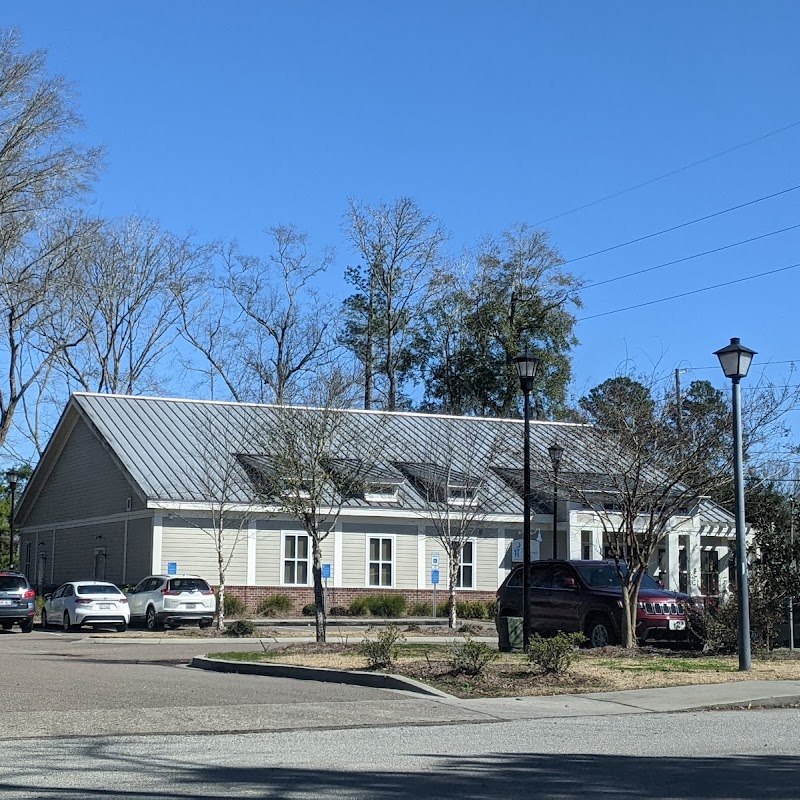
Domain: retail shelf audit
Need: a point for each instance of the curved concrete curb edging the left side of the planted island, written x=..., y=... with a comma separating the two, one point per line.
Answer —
x=374, y=680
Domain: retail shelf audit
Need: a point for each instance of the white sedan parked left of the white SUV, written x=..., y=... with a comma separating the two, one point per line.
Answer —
x=79, y=603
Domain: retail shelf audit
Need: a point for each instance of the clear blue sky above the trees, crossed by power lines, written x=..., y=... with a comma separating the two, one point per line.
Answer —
x=225, y=118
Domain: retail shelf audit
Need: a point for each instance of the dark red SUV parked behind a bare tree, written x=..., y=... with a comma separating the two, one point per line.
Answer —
x=586, y=597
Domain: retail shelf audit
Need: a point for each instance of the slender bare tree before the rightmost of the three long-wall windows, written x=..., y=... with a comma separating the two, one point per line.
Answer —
x=458, y=484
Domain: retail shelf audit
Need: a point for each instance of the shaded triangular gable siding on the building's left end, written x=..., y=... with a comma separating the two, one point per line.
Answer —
x=85, y=481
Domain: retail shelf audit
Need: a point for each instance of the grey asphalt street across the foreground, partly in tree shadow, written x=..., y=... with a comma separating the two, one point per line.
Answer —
x=675, y=756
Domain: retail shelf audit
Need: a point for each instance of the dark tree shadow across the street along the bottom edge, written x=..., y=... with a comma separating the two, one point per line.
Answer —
x=564, y=776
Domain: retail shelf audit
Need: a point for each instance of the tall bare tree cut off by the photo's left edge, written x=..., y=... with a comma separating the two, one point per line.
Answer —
x=42, y=173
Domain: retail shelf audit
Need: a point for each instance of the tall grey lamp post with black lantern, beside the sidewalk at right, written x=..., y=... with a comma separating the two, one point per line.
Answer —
x=735, y=360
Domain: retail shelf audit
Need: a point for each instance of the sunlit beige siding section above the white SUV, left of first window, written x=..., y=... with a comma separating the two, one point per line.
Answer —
x=194, y=551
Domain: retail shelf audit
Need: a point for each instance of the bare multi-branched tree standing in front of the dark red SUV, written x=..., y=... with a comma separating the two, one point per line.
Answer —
x=651, y=474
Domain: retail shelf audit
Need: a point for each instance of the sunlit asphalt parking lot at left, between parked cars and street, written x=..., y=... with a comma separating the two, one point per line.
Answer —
x=63, y=684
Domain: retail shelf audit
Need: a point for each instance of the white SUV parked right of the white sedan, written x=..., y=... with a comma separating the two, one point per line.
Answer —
x=171, y=600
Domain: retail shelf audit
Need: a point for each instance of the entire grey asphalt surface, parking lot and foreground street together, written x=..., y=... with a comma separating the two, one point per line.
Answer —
x=124, y=719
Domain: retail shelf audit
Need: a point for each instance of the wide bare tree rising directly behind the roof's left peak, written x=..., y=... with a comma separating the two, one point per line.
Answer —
x=129, y=277
